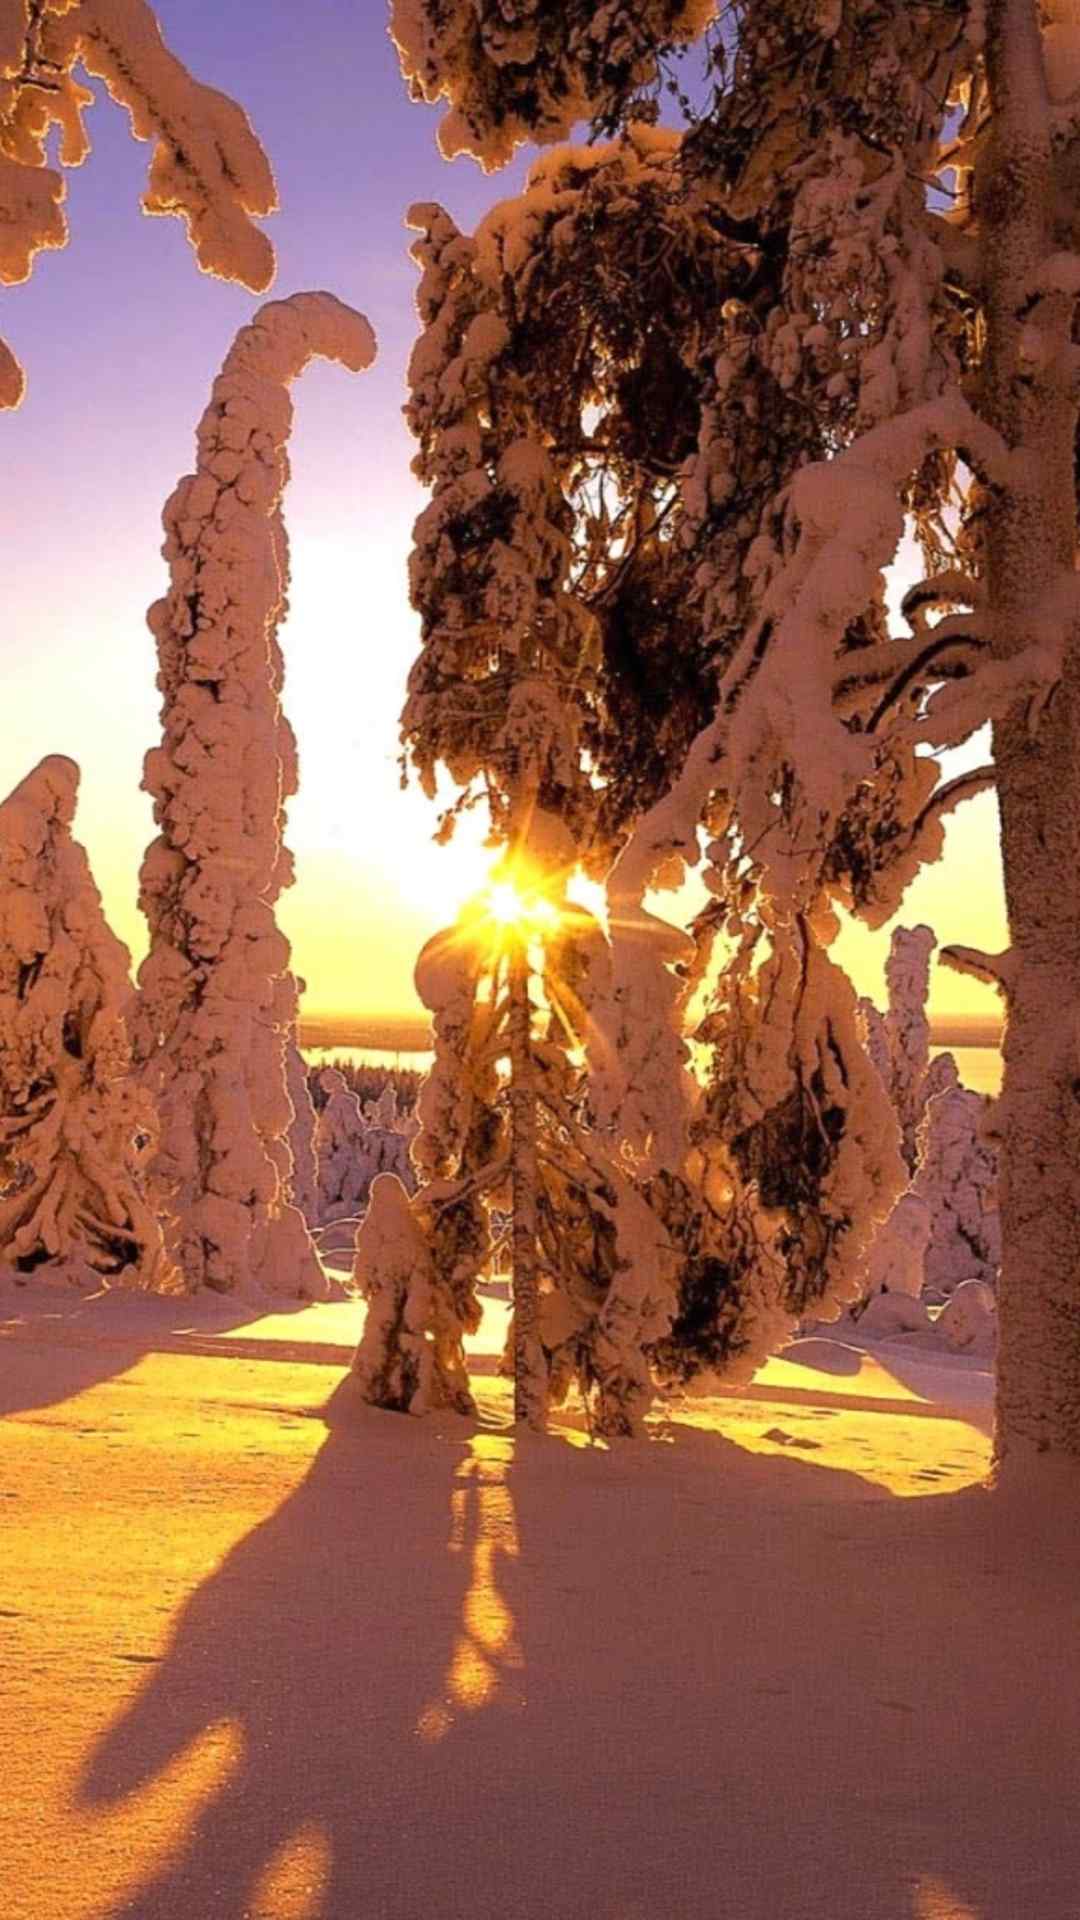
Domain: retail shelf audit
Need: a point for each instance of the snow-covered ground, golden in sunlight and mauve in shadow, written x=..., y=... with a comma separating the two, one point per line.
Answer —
x=276, y=1656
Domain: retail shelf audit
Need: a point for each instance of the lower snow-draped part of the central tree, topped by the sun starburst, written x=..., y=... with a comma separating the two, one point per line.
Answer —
x=503, y=1126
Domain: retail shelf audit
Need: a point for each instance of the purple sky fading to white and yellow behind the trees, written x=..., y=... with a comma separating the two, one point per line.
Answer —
x=122, y=337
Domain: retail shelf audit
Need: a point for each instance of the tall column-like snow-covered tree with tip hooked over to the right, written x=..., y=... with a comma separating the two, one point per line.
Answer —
x=218, y=1003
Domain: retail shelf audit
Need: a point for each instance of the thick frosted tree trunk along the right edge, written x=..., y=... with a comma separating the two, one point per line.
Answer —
x=1031, y=548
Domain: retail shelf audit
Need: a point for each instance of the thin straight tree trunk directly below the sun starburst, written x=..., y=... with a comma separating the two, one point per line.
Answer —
x=529, y=1372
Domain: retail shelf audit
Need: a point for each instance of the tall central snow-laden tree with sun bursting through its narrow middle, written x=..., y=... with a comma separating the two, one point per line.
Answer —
x=512, y=575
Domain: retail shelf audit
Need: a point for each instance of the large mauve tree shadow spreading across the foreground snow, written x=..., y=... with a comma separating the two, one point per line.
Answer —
x=524, y=1681
